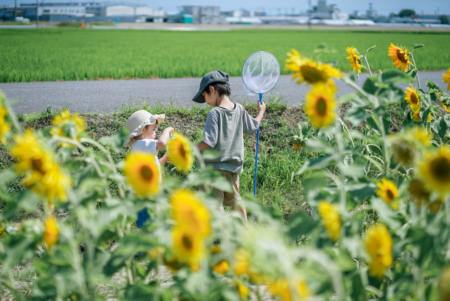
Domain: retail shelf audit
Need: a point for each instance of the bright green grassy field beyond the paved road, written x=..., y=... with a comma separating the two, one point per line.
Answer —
x=75, y=54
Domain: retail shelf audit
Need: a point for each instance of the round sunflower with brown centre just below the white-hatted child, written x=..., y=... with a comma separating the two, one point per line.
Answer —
x=143, y=174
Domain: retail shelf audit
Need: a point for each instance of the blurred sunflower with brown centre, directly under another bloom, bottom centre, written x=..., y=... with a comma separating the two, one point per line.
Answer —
x=188, y=247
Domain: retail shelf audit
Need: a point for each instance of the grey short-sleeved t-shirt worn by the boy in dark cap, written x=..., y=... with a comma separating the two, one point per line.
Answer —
x=224, y=133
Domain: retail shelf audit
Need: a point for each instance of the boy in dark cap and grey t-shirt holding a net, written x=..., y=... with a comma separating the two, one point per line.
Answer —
x=224, y=129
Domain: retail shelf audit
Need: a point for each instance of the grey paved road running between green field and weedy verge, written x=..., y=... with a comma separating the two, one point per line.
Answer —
x=109, y=95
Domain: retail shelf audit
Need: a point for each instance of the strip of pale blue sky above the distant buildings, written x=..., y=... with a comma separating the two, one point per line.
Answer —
x=381, y=6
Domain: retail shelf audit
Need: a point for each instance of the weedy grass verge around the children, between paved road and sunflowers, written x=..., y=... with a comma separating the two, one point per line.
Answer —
x=278, y=159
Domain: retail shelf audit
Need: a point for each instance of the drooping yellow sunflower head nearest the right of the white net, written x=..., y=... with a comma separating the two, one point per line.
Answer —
x=309, y=71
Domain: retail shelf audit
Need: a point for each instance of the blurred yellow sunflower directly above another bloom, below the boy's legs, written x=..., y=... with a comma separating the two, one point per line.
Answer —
x=189, y=212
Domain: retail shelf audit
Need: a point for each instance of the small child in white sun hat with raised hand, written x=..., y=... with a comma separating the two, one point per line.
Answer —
x=142, y=126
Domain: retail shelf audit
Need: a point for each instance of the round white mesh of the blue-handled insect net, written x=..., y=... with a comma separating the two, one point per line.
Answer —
x=261, y=72
